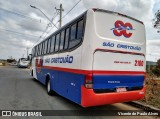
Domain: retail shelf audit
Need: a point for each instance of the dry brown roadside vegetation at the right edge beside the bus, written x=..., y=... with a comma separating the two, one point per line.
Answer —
x=152, y=96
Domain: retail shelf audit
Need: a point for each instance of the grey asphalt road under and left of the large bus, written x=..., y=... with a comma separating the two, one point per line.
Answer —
x=19, y=91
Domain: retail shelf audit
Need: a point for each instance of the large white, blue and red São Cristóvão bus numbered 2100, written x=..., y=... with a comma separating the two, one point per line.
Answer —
x=96, y=59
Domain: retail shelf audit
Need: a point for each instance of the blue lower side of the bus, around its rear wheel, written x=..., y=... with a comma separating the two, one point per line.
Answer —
x=65, y=84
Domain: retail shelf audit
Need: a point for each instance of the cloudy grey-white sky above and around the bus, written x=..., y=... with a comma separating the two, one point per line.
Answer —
x=21, y=26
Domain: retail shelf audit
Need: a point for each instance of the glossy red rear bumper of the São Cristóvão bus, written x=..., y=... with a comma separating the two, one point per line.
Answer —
x=89, y=98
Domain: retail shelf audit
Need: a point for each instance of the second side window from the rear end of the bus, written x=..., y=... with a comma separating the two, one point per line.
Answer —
x=72, y=41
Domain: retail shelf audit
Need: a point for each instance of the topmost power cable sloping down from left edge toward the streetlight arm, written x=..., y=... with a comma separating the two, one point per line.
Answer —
x=21, y=15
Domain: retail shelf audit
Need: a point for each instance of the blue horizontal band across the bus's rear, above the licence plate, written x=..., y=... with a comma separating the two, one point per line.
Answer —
x=114, y=81
